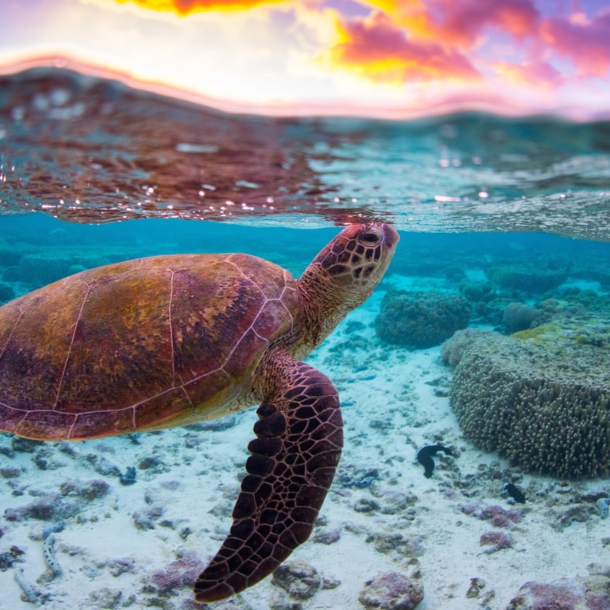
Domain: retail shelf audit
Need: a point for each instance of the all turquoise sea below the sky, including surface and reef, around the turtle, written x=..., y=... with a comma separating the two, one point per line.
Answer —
x=487, y=342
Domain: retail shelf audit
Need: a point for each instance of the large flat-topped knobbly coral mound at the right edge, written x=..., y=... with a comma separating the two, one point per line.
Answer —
x=543, y=406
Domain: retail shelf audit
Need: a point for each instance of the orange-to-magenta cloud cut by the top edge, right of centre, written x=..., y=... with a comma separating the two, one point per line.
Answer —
x=461, y=22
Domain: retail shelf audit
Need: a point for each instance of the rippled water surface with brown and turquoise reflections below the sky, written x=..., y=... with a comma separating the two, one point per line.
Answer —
x=92, y=150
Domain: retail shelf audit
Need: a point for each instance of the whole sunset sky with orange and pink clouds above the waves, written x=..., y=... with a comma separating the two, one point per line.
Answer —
x=394, y=58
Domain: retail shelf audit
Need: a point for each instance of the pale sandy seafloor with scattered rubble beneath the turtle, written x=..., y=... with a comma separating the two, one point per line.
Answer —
x=413, y=525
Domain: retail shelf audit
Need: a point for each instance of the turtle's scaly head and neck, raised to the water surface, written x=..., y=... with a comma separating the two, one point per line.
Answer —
x=345, y=273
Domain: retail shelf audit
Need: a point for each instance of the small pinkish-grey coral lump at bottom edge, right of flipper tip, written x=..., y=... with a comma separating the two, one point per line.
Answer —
x=392, y=591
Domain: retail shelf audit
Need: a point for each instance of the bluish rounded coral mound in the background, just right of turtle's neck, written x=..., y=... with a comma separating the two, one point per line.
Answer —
x=421, y=319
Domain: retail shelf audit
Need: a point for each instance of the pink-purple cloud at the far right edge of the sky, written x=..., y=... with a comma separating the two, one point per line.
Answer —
x=586, y=43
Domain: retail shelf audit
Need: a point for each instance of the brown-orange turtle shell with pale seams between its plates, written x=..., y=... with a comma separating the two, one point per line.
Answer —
x=143, y=344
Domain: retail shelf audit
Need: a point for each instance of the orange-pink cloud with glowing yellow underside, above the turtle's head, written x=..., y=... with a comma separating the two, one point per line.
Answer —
x=376, y=49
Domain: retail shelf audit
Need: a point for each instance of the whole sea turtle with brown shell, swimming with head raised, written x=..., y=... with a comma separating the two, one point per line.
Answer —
x=170, y=340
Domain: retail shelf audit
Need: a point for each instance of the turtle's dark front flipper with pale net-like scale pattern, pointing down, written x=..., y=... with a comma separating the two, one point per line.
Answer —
x=294, y=459
